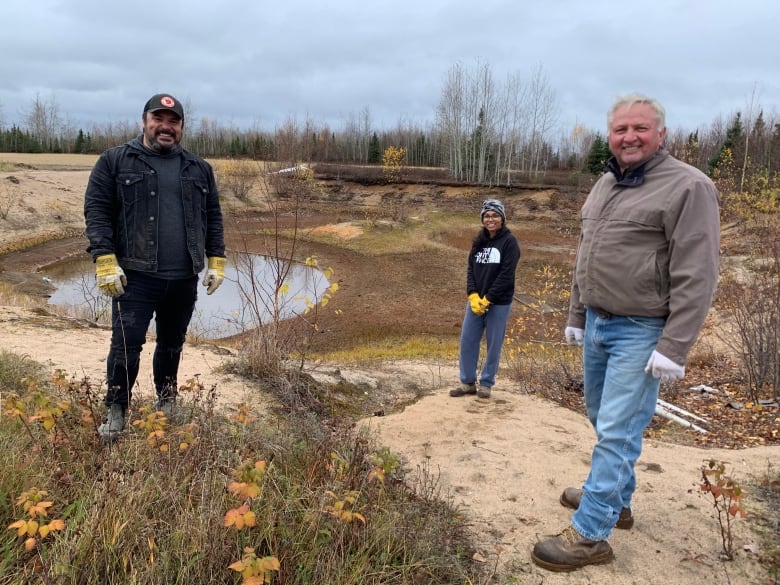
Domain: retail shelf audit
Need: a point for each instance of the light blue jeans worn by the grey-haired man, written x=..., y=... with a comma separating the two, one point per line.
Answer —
x=620, y=399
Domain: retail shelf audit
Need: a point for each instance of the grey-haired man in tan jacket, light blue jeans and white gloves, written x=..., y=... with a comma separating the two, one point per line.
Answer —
x=644, y=279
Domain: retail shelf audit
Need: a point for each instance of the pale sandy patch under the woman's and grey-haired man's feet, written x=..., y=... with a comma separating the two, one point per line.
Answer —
x=505, y=462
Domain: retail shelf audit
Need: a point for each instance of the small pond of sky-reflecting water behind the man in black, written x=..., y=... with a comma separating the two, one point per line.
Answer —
x=241, y=303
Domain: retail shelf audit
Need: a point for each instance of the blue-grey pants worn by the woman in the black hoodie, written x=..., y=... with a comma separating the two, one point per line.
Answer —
x=493, y=325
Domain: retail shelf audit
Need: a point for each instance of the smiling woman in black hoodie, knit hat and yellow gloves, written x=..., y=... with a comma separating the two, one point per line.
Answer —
x=490, y=286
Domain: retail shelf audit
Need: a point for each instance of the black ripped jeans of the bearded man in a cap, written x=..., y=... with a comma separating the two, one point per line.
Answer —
x=172, y=303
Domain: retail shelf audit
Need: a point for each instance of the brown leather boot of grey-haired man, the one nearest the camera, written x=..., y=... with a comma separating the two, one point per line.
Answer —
x=570, y=550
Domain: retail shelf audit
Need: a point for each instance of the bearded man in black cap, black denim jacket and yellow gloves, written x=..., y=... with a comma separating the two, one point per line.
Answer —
x=153, y=221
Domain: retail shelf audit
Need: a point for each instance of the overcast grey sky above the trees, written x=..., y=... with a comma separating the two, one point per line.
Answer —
x=255, y=63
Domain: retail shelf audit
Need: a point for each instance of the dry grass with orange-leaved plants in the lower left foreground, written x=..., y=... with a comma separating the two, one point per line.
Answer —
x=329, y=508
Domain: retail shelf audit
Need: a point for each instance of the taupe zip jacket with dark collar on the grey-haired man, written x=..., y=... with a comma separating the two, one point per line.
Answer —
x=650, y=250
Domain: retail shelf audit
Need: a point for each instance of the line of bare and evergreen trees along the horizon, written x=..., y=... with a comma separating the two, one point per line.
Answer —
x=484, y=131
